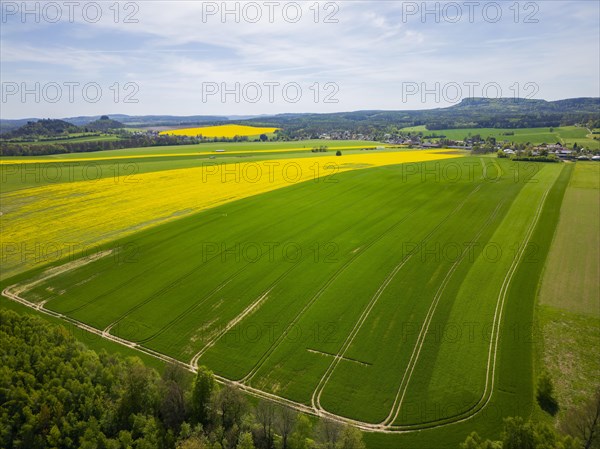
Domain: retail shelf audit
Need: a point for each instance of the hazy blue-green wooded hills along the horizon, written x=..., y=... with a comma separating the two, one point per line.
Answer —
x=470, y=113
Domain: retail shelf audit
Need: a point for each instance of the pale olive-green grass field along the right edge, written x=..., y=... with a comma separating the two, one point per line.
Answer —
x=569, y=311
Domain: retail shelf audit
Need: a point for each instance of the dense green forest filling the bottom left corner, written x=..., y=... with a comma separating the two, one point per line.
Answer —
x=55, y=393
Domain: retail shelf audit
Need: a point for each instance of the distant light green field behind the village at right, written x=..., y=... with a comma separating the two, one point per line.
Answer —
x=567, y=135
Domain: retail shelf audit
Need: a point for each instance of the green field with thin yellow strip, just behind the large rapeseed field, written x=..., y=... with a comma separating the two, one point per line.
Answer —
x=35, y=171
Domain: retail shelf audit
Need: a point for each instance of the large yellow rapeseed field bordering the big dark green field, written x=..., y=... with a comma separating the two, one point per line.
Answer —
x=42, y=224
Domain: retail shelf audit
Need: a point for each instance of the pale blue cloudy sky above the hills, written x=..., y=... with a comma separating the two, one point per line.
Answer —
x=62, y=59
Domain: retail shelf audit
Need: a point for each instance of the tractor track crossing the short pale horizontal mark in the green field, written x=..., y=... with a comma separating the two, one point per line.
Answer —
x=316, y=395
